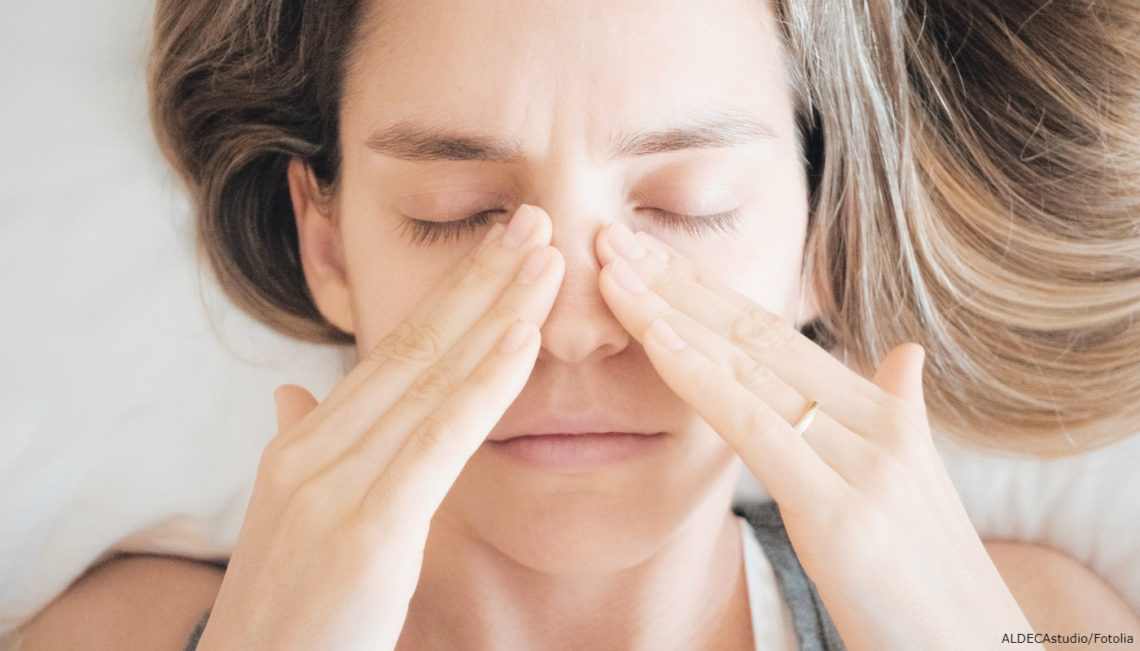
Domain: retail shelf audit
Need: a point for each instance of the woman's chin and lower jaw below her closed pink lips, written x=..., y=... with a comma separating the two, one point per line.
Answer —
x=600, y=522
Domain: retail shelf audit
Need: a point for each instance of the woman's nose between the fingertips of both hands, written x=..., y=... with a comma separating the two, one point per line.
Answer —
x=581, y=325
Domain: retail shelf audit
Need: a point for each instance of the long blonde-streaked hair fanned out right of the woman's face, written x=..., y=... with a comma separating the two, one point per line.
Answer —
x=983, y=199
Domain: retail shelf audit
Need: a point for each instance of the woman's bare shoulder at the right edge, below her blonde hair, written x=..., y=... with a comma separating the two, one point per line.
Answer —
x=1057, y=593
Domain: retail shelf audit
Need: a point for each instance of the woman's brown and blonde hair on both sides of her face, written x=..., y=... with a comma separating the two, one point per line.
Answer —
x=975, y=188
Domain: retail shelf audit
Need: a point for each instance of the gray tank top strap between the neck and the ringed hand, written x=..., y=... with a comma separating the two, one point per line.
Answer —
x=815, y=629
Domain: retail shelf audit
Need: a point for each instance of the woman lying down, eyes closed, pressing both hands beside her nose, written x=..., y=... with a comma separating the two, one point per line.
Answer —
x=540, y=445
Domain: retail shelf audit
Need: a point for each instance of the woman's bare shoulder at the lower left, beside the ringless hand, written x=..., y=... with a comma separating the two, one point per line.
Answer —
x=129, y=601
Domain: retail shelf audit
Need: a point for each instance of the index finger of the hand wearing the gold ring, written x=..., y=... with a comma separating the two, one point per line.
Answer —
x=763, y=336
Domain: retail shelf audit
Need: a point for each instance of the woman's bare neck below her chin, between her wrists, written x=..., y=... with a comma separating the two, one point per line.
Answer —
x=690, y=593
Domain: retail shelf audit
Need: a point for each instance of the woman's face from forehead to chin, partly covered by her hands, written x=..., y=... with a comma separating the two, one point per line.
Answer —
x=699, y=92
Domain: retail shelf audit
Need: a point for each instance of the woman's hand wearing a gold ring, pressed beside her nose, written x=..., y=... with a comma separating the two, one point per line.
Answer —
x=867, y=502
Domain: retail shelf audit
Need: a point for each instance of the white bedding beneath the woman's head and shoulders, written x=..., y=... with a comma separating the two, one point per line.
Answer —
x=128, y=424
